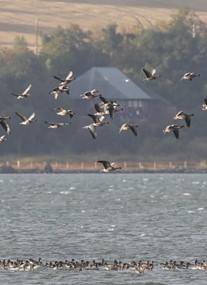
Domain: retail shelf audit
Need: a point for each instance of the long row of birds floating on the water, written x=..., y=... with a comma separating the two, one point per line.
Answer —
x=77, y=266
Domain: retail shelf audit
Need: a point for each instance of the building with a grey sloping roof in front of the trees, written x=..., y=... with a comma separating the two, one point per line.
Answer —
x=137, y=102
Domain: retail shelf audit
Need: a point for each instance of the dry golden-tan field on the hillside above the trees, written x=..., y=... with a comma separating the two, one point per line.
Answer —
x=22, y=17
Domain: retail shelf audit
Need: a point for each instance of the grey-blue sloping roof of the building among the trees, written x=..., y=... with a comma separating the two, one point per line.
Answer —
x=111, y=82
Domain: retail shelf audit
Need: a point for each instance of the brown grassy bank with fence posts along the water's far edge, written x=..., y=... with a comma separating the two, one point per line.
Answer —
x=90, y=167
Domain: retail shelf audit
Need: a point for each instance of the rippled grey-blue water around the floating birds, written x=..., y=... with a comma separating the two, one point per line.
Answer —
x=112, y=216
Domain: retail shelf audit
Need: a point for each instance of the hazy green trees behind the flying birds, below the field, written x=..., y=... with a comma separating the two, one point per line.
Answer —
x=172, y=48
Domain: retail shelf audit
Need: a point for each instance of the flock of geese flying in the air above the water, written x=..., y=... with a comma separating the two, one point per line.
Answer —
x=105, y=107
